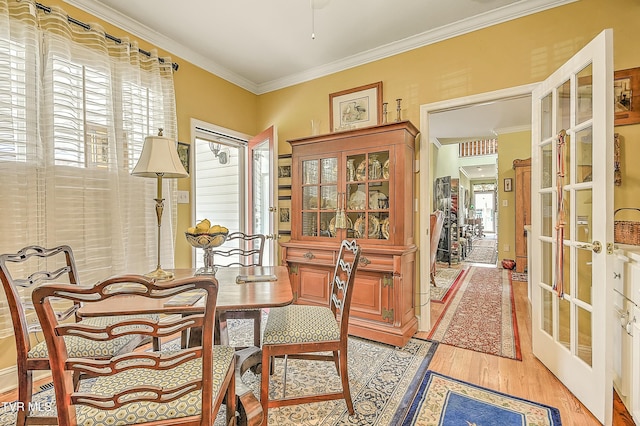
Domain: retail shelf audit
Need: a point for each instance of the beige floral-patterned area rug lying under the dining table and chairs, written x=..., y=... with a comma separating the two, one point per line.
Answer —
x=380, y=375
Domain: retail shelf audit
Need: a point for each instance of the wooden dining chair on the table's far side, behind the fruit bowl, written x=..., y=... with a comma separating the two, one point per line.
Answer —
x=249, y=252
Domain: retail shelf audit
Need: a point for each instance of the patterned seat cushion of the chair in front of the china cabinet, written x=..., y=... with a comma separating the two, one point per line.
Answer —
x=300, y=323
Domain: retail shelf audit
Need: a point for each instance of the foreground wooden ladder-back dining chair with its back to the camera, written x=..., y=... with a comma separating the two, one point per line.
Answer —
x=181, y=386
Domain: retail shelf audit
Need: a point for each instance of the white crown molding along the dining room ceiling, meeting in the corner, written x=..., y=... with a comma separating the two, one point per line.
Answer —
x=506, y=13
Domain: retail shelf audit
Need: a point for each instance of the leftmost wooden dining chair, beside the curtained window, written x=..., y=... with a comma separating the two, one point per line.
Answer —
x=20, y=273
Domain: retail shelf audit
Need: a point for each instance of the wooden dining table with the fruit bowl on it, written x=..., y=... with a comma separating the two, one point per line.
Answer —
x=258, y=287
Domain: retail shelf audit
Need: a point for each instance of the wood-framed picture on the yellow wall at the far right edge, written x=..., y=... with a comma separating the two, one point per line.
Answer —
x=626, y=92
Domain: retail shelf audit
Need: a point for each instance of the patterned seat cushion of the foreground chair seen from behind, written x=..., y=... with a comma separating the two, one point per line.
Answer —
x=141, y=412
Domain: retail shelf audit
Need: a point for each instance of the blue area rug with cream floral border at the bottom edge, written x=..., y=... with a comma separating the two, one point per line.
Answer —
x=443, y=401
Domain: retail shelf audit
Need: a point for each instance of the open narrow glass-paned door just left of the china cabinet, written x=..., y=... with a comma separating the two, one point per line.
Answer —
x=262, y=200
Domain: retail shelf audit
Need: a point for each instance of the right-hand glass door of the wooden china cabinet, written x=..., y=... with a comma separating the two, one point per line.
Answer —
x=367, y=195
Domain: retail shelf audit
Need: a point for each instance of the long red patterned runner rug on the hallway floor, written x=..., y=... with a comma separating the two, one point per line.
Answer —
x=481, y=315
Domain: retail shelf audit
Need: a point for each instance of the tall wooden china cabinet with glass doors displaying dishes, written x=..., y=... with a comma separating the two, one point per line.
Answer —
x=357, y=184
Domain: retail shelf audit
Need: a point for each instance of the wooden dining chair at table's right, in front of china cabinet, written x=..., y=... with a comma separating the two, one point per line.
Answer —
x=301, y=331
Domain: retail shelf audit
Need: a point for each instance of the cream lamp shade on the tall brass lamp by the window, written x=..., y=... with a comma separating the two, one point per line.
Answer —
x=159, y=156
